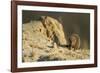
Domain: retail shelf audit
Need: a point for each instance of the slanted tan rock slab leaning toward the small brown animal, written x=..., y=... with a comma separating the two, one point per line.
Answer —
x=54, y=30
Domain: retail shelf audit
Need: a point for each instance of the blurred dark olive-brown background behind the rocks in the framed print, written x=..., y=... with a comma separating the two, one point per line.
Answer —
x=72, y=23
